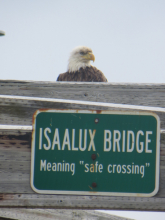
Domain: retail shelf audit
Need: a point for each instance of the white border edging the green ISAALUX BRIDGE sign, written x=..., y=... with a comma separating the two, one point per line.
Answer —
x=155, y=191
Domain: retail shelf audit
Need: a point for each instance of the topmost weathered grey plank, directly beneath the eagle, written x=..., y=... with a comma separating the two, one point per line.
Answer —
x=125, y=93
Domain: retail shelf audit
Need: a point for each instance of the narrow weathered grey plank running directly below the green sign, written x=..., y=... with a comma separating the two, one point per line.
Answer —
x=81, y=202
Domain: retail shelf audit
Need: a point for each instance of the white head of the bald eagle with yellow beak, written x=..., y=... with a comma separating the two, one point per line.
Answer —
x=80, y=57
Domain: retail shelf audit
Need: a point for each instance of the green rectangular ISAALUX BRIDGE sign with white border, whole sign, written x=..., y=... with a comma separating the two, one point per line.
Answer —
x=95, y=153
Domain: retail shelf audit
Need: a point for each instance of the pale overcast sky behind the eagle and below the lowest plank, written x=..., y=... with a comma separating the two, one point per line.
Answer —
x=126, y=36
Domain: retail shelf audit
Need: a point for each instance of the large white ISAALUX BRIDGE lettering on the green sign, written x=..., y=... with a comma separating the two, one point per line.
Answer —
x=115, y=141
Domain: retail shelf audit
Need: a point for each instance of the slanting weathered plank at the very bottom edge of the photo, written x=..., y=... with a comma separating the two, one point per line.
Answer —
x=60, y=214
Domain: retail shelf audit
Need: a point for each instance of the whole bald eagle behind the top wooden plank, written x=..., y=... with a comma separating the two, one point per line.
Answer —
x=80, y=68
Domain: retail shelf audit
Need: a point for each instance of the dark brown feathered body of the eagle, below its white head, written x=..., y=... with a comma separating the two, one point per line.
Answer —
x=87, y=74
